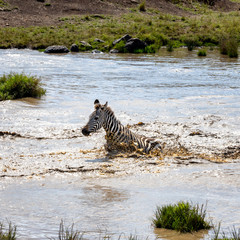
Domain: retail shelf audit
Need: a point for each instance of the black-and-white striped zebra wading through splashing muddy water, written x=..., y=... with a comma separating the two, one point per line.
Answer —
x=116, y=133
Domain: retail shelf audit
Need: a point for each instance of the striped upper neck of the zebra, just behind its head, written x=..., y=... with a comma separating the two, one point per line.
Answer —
x=111, y=123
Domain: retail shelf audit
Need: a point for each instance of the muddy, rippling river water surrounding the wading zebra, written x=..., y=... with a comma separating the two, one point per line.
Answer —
x=49, y=171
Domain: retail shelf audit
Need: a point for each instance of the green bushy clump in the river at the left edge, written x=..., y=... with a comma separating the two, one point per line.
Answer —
x=14, y=86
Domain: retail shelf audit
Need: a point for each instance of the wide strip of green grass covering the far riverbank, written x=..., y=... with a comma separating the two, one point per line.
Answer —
x=155, y=28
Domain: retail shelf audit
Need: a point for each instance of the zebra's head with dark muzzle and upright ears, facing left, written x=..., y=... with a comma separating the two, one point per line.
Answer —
x=96, y=119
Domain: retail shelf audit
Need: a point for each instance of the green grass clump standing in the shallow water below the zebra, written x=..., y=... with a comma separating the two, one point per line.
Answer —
x=182, y=217
